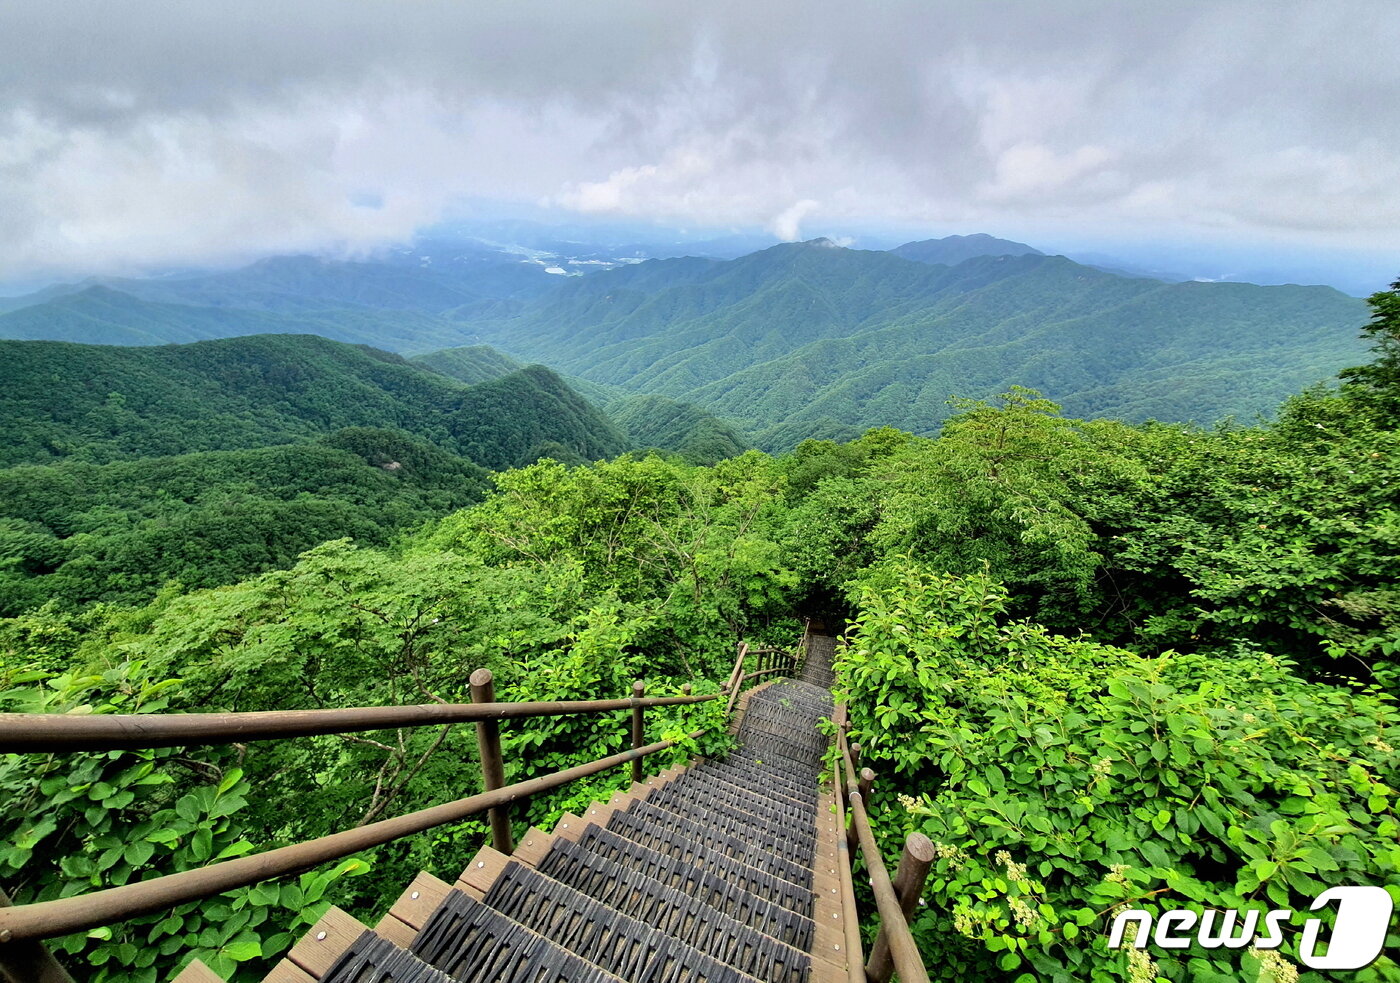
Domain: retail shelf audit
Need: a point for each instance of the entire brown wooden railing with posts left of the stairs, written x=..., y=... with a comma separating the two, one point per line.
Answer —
x=22, y=928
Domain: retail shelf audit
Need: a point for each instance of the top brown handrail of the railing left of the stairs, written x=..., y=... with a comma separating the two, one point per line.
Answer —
x=34, y=733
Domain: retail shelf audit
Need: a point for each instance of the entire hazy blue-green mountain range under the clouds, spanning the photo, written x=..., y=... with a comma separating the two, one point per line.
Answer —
x=794, y=341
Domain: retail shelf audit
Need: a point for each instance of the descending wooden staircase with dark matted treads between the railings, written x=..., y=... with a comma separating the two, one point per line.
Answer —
x=723, y=872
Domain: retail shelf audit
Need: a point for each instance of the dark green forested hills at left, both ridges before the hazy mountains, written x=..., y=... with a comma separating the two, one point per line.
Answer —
x=201, y=466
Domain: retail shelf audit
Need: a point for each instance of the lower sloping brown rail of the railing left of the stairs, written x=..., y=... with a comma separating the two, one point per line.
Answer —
x=52, y=919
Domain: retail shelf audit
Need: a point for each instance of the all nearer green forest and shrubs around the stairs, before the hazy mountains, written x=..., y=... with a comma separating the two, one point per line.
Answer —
x=1098, y=663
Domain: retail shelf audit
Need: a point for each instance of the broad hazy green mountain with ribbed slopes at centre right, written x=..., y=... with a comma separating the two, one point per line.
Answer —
x=811, y=333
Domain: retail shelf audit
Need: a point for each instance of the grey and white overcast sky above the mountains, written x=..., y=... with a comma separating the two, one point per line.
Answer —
x=148, y=134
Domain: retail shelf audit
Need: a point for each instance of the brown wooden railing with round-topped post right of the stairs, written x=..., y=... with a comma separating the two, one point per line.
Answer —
x=895, y=950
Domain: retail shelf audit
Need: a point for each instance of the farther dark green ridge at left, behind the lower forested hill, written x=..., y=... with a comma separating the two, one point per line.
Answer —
x=104, y=404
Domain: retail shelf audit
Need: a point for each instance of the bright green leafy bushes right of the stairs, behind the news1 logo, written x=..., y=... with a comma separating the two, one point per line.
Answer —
x=1062, y=779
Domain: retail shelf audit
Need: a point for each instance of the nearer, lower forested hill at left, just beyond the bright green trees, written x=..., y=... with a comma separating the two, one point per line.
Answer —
x=80, y=533
